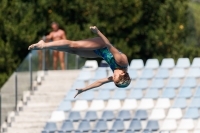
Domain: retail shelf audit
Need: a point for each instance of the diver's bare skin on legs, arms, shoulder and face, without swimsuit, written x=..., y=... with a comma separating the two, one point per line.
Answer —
x=85, y=48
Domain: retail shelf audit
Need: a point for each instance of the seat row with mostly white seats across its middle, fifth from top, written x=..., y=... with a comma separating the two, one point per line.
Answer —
x=145, y=103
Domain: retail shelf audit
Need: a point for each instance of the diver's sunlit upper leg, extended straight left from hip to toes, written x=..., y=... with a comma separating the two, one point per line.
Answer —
x=88, y=44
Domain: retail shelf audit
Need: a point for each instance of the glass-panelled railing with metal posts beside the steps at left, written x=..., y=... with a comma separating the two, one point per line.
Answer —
x=22, y=79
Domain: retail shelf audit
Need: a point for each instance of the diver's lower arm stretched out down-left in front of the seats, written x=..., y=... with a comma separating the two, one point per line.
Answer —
x=94, y=85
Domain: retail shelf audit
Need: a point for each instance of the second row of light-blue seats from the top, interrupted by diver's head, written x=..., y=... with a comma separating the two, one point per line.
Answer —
x=162, y=73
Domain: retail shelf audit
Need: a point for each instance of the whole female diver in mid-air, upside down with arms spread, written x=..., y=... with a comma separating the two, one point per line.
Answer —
x=92, y=48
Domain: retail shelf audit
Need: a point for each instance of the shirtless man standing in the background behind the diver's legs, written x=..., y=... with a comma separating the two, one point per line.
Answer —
x=57, y=34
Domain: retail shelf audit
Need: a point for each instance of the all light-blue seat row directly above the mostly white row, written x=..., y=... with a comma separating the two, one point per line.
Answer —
x=138, y=94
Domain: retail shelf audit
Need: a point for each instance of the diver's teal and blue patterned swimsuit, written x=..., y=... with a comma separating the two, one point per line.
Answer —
x=109, y=58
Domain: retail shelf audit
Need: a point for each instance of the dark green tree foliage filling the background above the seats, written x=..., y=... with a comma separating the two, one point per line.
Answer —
x=140, y=28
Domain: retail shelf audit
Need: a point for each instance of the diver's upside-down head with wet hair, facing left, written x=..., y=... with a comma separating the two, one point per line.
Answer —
x=121, y=78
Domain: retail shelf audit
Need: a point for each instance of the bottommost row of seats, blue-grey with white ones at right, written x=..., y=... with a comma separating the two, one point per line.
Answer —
x=118, y=125
